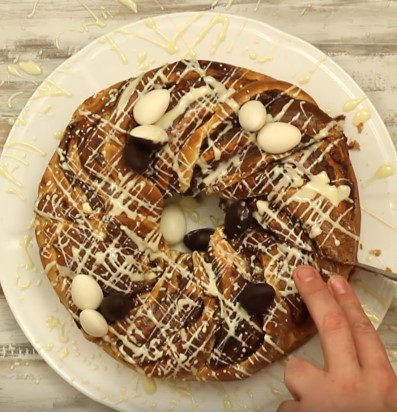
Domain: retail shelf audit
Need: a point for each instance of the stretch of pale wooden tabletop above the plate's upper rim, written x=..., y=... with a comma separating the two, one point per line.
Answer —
x=367, y=52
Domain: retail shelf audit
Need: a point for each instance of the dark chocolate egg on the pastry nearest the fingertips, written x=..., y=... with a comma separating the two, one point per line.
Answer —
x=256, y=298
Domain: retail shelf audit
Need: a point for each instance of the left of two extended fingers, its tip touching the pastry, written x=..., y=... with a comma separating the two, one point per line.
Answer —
x=334, y=330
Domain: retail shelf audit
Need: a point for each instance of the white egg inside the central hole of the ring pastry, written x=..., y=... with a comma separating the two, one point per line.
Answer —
x=173, y=224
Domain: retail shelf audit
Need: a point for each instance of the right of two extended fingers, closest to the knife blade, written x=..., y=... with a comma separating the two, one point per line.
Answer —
x=370, y=350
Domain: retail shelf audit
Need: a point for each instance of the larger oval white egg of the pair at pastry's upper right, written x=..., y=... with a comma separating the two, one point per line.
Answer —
x=278, y=137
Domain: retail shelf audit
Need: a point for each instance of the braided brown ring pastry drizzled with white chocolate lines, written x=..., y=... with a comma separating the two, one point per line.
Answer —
x=96, y=216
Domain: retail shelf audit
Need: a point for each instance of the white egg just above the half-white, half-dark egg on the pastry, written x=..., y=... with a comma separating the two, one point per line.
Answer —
x=150, y=107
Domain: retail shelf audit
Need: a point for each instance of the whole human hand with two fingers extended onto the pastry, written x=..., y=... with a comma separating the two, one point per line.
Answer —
x=357, y=375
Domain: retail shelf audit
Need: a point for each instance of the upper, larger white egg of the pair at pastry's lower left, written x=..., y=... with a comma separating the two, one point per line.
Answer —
x=86, y=292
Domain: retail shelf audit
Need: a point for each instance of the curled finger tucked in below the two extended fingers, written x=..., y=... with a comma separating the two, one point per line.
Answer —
x=300, y=376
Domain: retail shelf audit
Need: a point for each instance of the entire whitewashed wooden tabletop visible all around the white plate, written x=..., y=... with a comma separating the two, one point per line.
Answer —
x=361, y=36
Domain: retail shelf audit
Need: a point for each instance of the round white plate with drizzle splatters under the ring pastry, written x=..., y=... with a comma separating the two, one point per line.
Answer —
x=125, y=53
